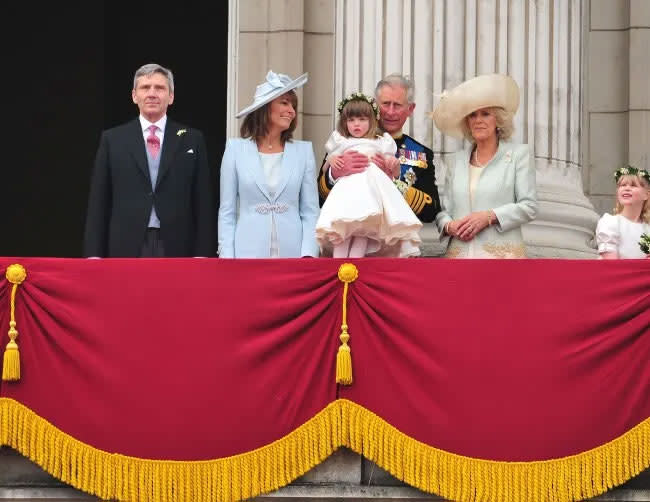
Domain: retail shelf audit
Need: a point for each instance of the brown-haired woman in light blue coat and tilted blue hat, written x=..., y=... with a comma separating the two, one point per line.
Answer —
x=269, y=199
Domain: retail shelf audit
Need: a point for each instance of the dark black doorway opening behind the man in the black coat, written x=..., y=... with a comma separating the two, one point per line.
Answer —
x=69, y=71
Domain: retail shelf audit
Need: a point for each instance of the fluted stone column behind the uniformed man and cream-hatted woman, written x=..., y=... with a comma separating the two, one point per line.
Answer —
x=441, y=43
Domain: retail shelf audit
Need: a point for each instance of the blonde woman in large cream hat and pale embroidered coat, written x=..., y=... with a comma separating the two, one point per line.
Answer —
x=491, y=189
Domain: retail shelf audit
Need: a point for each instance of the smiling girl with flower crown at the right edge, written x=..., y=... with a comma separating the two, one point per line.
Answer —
x=619, y=235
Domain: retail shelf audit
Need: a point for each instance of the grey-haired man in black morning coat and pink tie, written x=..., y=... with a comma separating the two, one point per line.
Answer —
x=151, y=194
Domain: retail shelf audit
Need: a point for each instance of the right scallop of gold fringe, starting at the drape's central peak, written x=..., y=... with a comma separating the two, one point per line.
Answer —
x=466, y=479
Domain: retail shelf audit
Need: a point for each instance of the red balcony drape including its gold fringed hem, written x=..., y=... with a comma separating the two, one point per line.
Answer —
x=537, y=368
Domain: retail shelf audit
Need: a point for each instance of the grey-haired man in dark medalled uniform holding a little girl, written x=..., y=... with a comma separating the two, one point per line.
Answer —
x=417, y=181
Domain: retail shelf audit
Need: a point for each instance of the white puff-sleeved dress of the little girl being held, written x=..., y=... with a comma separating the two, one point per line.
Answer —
x=367, y=204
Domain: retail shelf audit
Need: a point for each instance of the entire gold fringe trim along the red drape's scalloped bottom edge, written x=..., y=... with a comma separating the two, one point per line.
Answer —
x=341, y=423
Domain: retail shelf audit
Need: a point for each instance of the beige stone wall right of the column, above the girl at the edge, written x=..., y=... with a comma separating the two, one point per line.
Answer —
x=617, y=94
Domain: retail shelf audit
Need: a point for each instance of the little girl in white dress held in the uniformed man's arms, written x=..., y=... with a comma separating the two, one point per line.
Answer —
x=365, y=214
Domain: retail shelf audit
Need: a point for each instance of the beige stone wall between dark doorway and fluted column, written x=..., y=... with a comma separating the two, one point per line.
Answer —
x=292, y=37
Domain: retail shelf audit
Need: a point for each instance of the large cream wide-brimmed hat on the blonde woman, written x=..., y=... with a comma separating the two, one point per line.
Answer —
x=479, y=92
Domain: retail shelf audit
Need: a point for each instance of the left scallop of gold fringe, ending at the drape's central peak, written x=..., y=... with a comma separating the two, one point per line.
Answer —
x=111, y=476
